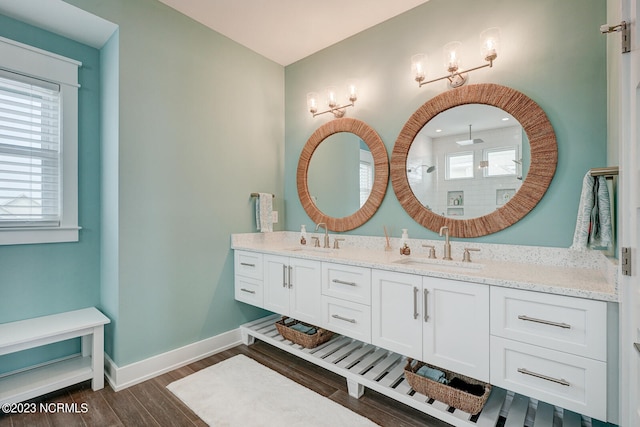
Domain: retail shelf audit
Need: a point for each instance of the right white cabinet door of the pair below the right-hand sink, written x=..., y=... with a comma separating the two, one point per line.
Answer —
x=456, y=326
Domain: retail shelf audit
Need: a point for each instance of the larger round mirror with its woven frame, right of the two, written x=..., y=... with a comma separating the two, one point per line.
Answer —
x=474, y=188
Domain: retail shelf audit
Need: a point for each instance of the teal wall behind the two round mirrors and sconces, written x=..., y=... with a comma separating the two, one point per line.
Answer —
x=551, y=51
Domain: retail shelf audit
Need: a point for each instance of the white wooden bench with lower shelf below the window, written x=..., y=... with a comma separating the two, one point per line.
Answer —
x=87, y=323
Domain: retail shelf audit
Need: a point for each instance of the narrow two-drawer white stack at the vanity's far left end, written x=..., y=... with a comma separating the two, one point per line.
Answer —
x=248, y=280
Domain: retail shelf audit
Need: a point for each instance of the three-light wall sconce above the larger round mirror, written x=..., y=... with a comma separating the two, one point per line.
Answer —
x=490, y=39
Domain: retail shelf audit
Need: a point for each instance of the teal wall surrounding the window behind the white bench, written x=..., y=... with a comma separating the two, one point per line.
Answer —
x=37, y=280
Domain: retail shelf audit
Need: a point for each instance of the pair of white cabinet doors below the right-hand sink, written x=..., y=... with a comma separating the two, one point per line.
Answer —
x=442, y=322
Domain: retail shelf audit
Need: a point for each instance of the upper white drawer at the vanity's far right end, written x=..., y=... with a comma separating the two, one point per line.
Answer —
x=572, y=325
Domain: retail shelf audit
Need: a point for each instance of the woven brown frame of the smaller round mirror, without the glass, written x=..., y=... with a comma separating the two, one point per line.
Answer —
x=380, y=180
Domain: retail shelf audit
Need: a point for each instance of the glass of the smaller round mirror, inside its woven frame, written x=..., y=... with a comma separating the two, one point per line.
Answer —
x=340, y=175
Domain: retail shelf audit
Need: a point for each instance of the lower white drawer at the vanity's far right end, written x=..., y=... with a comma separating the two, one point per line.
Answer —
x=572, y=382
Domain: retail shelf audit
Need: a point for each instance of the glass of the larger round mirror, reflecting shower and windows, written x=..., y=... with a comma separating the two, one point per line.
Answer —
x=468, y=161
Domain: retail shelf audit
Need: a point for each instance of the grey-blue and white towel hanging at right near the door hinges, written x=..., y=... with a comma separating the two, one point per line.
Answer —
x=594, y=223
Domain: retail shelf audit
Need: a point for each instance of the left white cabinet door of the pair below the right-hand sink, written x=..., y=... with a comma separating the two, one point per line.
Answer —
x=396, y=312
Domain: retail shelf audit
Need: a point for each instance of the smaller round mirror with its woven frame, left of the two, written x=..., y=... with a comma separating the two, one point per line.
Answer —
x=329, y=176
